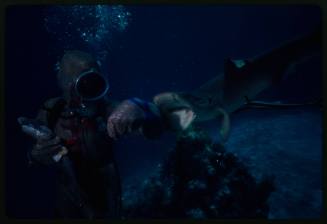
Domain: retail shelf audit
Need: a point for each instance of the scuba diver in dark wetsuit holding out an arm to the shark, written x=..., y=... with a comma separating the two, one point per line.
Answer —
x=75, y=133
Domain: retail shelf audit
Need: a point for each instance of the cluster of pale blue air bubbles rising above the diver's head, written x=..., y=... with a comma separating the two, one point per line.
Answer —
x=90, y=25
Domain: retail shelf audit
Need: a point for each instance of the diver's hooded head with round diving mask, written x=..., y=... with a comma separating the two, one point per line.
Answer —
x=79, y=77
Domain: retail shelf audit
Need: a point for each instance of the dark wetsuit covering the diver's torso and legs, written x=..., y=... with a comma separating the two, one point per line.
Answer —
x=88, y=184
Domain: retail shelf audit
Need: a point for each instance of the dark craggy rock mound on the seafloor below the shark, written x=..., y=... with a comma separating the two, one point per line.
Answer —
x=199, y=179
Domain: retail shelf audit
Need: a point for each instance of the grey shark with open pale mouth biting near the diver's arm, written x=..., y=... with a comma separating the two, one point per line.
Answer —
x=240, y=81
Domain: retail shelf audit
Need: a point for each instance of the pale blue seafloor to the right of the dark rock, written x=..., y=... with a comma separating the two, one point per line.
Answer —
x=287, y=144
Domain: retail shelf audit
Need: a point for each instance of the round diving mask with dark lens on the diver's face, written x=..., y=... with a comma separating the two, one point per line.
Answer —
x=91, y=85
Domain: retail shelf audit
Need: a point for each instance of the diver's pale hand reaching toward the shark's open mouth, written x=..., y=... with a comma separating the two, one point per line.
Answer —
x=126, y=118
